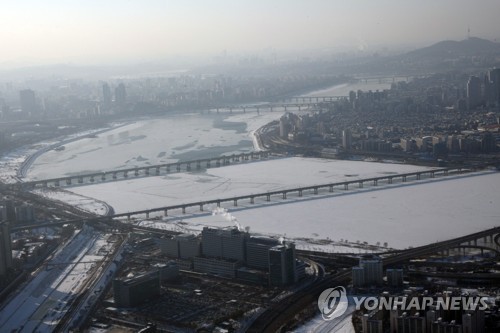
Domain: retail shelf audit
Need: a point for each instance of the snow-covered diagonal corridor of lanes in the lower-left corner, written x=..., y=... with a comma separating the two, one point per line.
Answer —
x=43, y=302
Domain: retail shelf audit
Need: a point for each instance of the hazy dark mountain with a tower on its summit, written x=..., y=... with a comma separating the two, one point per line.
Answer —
x=453, y=49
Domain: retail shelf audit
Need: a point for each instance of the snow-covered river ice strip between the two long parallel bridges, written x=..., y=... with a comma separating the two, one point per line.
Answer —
x=235, y=180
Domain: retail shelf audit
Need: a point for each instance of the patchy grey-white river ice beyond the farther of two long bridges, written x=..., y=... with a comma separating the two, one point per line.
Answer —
x=148, y=142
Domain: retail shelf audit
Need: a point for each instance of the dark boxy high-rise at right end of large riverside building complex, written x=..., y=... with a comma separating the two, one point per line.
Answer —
x=282, y=270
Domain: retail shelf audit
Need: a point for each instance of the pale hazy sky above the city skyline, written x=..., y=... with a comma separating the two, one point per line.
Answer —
x=92, y=31
